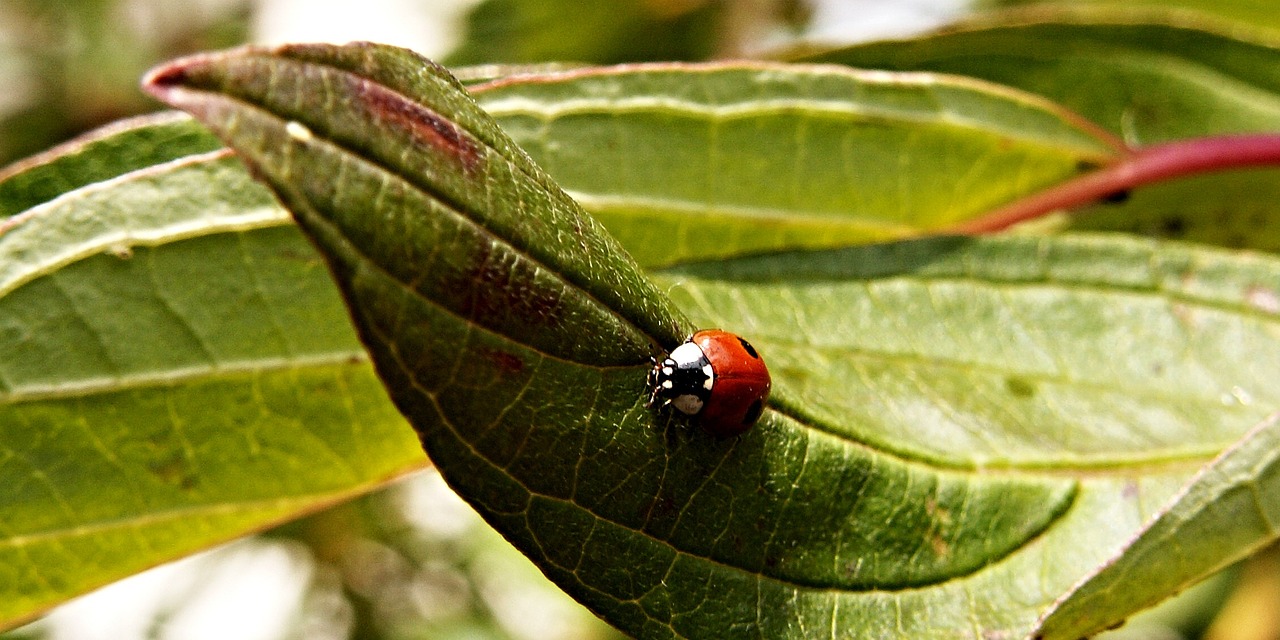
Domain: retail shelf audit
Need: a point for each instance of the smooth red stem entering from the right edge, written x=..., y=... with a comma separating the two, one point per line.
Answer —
x=1144, y=167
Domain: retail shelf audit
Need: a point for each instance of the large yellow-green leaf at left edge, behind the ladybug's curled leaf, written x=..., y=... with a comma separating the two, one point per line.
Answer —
x=177, y=369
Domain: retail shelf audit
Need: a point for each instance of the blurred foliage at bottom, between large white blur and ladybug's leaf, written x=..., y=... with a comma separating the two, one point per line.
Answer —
x=414, y=561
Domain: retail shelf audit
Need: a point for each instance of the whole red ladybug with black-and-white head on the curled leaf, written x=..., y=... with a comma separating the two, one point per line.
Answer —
x=717, y=378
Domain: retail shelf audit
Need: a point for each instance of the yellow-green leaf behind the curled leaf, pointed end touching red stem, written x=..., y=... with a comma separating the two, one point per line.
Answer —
x=696, y=162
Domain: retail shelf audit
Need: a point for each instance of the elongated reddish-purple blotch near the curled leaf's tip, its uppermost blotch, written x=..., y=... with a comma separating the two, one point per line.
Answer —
x=426, y=126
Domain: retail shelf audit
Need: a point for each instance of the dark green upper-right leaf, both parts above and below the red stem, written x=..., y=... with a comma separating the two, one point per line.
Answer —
x=1146, y=81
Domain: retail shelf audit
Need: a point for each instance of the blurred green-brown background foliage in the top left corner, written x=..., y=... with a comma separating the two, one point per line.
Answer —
x=72, y=66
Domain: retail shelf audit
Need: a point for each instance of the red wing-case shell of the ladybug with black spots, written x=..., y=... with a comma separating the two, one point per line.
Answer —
x=742, y=383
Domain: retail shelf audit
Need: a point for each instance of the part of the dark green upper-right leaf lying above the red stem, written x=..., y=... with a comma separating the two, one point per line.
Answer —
x=1148, y=81
